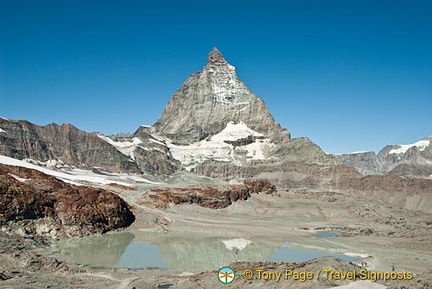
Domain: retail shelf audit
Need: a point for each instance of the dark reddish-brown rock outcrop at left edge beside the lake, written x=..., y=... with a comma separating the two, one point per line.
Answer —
x=42, y=204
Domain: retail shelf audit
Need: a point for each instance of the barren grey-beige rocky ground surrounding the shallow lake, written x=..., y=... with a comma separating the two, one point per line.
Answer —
x=376, y=232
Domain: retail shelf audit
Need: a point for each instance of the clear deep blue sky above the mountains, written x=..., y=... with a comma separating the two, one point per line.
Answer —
x=351, y=74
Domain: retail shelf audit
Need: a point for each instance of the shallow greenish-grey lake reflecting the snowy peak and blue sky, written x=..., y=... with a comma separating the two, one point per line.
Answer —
x=180, y=251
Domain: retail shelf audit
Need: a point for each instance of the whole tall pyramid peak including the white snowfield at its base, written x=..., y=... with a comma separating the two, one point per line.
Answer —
x=214, y=119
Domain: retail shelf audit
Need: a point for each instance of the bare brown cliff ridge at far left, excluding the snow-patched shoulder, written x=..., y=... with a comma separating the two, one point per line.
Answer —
x=22, y=139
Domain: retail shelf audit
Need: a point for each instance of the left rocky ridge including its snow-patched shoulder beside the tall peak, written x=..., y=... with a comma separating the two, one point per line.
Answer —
x=65, y=145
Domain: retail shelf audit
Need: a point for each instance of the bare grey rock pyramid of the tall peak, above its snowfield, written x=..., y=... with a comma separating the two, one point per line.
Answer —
x=210, y=100
